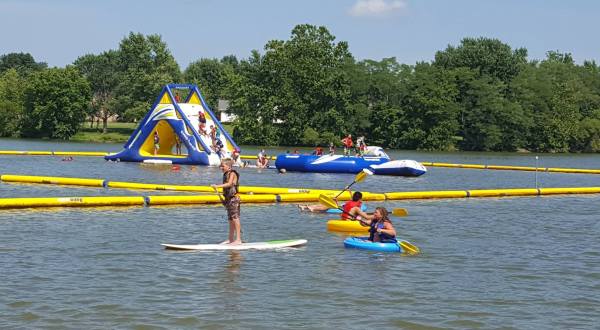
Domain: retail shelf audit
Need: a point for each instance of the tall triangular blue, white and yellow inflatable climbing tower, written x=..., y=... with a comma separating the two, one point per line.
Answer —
x=172, y=127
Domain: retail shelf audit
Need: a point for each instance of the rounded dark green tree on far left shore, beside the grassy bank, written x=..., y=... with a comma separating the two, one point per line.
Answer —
x=56, y=101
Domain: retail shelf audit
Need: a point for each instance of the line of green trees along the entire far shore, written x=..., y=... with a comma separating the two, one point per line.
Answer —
x=479, y=95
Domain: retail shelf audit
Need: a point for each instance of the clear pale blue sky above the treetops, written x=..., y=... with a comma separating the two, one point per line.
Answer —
x=59, y=31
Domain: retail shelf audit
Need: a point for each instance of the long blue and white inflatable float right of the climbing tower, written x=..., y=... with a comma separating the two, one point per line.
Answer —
x=375, y=160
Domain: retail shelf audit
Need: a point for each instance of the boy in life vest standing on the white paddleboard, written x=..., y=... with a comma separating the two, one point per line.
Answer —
x=231, y=184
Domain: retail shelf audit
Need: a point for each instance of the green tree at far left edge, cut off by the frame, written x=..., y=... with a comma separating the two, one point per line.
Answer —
x=11, y=102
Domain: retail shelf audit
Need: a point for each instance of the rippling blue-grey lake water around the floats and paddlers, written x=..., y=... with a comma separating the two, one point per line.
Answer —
x=527, y=263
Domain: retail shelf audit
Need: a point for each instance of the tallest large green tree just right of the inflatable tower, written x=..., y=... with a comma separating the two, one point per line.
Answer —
x=298, y=83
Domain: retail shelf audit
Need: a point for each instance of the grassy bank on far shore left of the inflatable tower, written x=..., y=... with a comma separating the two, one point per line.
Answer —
x=116, y=132
